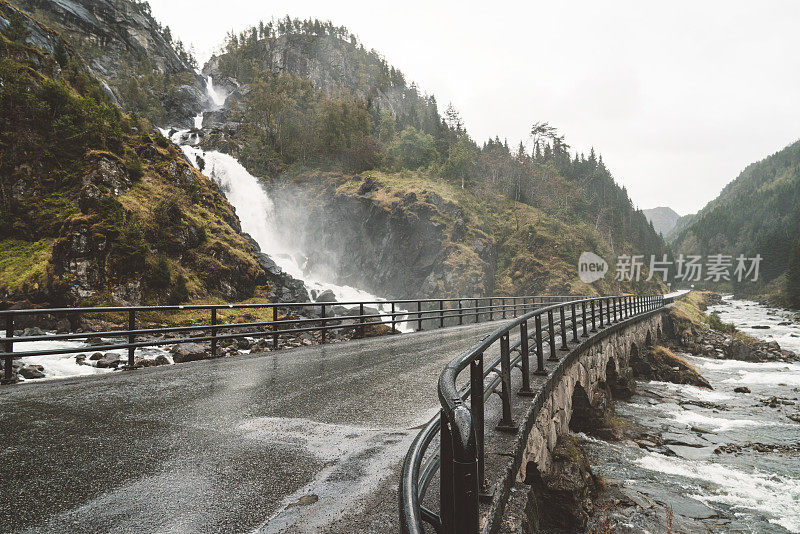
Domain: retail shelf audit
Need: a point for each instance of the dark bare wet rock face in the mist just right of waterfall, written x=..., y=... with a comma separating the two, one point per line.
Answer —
x=400, y=251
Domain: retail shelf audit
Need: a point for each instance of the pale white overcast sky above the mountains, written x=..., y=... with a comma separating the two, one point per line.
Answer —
x=678, y=97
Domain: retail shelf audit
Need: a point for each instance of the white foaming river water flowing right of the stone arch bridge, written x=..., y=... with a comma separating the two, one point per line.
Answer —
x=743, y=491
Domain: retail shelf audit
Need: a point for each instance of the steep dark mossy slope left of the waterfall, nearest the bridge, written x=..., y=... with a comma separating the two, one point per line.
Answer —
x=95, y=205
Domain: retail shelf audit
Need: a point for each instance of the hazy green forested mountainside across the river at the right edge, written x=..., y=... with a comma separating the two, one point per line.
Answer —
x=757, y=213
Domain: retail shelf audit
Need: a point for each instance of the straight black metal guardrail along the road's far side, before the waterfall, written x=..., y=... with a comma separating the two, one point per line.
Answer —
x=418, y=314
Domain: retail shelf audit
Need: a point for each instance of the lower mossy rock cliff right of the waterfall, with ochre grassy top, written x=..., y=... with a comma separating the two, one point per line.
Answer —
x=409, y=236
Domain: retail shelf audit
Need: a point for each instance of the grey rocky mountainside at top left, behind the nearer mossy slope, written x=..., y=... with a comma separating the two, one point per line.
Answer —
x=148, y=71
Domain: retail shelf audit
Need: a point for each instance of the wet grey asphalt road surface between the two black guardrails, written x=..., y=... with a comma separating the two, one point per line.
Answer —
x=302, y=440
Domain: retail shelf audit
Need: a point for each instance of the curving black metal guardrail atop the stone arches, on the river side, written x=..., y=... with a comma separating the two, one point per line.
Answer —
x=460, y=458
